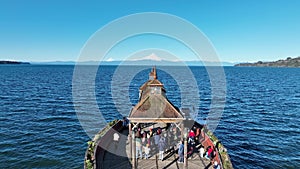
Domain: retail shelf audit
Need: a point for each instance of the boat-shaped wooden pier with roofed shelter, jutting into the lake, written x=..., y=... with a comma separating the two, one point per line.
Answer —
x=155, y=116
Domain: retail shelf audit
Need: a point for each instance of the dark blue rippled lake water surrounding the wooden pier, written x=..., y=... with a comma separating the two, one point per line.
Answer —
x=40, y=128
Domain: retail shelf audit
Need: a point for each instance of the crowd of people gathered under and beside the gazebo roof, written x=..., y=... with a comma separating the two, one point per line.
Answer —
x=157, y=140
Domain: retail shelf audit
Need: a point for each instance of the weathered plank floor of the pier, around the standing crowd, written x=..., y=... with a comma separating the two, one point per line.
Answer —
x=120, y=160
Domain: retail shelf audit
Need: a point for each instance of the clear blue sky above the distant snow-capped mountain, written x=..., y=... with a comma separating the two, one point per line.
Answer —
x=240, y=31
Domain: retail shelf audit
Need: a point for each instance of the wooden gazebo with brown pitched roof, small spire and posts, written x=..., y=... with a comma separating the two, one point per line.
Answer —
x=153, y=108
